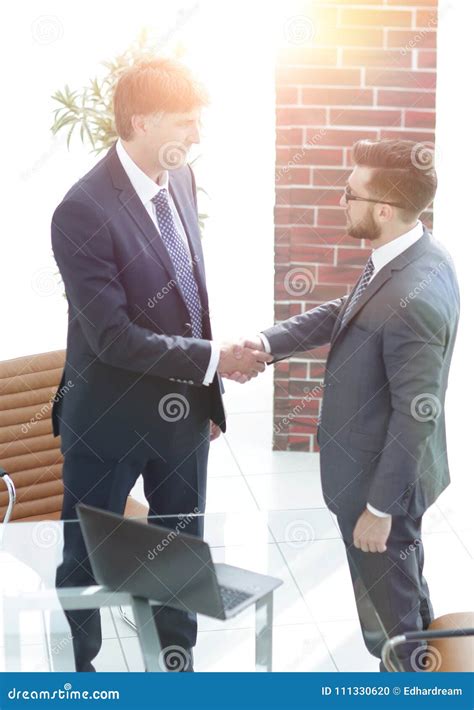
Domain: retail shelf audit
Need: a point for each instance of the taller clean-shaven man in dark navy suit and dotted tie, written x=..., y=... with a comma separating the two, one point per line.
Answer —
x=145, y=395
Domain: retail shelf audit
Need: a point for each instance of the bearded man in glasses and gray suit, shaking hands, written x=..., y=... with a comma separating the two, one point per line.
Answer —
x=382, y=428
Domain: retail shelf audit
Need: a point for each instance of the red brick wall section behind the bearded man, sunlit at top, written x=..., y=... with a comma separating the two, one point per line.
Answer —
x=348, y=71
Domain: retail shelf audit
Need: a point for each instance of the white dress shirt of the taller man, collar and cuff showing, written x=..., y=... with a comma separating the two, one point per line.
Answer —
x=146, y=189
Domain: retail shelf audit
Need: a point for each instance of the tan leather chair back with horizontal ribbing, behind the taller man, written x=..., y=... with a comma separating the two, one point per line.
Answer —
x=29, y=452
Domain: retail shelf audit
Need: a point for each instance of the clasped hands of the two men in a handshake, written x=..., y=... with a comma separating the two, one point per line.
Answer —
x=243, y=360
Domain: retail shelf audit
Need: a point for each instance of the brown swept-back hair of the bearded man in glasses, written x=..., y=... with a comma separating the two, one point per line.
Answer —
x=403, y=172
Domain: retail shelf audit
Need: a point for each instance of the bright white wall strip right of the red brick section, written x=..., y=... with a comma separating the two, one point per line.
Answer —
x=453, y=211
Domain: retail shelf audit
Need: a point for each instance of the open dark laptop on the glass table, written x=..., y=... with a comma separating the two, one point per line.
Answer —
x=166, y=565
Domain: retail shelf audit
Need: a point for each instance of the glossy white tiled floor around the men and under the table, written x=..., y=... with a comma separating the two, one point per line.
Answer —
x=315, y=619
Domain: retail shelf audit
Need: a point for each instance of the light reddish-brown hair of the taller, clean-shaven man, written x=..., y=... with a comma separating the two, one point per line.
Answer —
x=155, y=85
